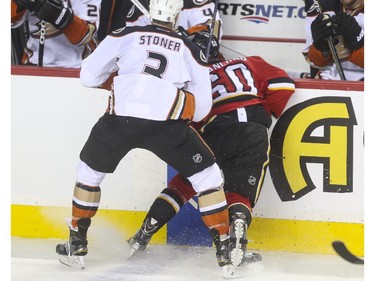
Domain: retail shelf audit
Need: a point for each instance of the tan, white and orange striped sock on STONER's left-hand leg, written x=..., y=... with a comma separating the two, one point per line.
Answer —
x=85, y=202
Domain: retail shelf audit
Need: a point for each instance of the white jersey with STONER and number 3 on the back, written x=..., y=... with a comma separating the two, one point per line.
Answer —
x=156, y=67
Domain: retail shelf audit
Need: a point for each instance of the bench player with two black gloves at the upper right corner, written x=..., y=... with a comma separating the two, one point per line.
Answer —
x=343, y=22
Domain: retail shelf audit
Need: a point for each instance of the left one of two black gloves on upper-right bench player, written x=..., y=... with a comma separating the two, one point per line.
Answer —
x=321, y=30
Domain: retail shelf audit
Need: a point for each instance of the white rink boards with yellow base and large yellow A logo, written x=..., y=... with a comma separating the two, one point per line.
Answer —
x=317, y=198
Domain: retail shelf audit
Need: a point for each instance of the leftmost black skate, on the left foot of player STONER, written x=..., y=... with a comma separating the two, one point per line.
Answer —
x=72, y=252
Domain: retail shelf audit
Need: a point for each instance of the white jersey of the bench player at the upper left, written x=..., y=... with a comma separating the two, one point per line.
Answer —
x=58, y=50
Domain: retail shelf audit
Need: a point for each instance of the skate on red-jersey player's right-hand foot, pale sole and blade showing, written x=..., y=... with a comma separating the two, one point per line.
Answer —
x=238, y=237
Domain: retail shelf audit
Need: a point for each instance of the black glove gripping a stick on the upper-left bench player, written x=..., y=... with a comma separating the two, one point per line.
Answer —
x=56, y=12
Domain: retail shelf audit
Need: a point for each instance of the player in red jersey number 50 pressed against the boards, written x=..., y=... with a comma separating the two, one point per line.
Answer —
x=246, y=91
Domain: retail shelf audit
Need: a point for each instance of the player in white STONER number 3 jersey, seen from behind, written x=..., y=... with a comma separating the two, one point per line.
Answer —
x=162, y=84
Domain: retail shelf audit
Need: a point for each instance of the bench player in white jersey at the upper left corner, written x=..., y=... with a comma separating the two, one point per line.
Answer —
x=62, y=32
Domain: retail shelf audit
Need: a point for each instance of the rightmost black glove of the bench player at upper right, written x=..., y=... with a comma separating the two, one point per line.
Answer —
x=347, y=26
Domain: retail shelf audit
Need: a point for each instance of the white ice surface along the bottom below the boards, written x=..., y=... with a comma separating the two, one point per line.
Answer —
x=35, y=259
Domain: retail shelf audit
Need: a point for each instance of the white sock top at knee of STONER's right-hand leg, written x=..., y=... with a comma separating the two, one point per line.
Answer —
x=207, y=179
